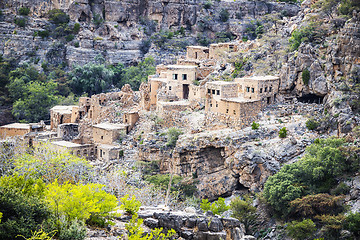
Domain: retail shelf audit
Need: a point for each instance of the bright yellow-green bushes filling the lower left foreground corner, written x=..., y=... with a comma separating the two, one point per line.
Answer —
x=34, y=203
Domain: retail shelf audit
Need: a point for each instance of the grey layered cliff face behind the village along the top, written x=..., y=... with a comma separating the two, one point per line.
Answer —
x=127, y=24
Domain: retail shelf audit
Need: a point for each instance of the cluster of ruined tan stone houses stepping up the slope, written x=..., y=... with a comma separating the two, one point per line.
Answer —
x=173, y=88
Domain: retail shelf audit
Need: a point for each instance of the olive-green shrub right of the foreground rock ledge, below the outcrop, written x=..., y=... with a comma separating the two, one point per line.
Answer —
x=244, y=211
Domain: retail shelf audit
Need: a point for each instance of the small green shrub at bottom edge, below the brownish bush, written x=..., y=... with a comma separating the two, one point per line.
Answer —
x=301, y=230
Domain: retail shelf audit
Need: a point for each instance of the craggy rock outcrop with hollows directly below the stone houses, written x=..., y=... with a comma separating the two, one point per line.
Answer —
x=221, y=161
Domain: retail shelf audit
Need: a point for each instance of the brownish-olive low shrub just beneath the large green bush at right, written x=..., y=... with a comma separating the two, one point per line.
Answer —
x=312, y=205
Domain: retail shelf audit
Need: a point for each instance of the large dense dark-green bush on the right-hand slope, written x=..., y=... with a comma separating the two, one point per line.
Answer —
x=316, y=172
